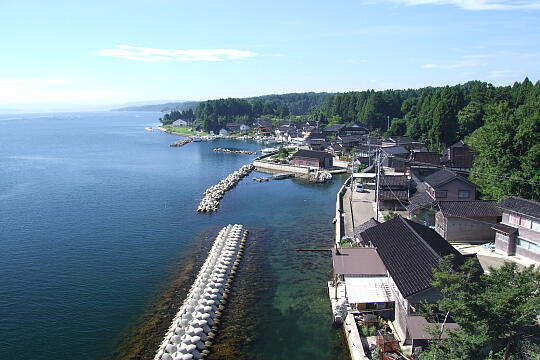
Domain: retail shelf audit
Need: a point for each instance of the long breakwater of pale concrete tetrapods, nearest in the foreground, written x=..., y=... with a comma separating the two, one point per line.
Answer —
x=194, y=327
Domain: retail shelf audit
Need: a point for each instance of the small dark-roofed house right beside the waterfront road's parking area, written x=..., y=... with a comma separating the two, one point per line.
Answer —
x=393, y=192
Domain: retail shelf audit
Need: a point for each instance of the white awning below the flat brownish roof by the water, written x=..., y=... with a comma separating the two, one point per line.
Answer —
x=361, y=290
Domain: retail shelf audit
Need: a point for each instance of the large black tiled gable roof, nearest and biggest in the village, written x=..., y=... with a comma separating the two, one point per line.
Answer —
x=410, y=252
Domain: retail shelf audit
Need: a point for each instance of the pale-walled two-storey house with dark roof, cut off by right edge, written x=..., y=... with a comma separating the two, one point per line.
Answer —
x=519, y=231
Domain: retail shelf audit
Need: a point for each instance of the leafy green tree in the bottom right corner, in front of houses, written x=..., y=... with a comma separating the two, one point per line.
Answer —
x=497, y=311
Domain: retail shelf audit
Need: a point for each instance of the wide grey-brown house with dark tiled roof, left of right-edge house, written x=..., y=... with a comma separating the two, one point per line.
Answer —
x=467, y=221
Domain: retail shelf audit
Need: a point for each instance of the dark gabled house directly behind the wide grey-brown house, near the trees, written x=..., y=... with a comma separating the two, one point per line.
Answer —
x=445, y=184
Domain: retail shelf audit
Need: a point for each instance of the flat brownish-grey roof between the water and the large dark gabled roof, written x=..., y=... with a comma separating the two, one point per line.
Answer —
x=357, y=261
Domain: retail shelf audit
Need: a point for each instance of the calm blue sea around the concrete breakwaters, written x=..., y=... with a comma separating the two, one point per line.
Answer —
x=97, y=220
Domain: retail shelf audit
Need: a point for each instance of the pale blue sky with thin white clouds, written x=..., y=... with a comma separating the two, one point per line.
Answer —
x=115, y=51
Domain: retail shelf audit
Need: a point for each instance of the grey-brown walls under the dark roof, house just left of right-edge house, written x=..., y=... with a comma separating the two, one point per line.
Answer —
x=465, y=230
